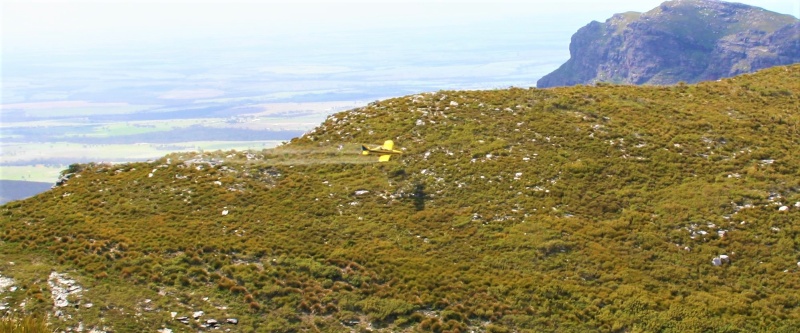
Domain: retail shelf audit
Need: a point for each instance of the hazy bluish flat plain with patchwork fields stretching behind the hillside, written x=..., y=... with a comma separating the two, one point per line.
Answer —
x=135, y=103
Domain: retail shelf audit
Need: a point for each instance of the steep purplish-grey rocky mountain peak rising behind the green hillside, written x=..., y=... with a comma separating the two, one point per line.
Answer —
x=681, y=40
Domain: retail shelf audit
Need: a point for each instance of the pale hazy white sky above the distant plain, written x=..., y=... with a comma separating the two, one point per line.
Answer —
x=35, y=25
